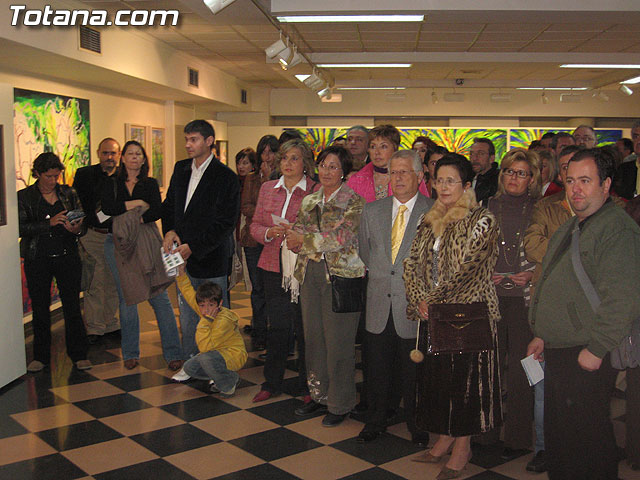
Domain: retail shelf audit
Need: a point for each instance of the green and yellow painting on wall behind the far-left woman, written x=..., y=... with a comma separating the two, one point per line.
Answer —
x=45, y=122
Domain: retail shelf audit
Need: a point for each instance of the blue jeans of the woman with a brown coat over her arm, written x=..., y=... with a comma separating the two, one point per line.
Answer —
x=130, y=323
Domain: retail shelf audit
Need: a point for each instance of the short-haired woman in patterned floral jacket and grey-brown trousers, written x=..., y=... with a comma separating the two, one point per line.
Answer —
x=325, y=236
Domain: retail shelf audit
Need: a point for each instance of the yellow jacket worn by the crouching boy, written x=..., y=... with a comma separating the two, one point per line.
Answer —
x=220, y=333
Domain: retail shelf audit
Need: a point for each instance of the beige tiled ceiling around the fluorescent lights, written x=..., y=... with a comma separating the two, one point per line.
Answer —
x=513, y=46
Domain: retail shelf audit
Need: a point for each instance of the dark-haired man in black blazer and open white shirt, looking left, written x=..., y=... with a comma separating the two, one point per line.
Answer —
x=199, y=214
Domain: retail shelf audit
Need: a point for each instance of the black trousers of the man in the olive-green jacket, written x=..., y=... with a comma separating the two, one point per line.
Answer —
x=578, y=432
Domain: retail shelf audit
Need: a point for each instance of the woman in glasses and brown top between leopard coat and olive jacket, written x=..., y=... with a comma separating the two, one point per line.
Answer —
x=519, y=186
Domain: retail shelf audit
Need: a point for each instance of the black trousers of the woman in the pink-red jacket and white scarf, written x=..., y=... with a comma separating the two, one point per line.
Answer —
x=282, y=315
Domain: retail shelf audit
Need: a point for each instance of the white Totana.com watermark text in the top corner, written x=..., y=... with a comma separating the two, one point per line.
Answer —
x=22, y=16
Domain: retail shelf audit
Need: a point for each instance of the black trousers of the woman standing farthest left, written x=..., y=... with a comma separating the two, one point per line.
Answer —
x=67, y=270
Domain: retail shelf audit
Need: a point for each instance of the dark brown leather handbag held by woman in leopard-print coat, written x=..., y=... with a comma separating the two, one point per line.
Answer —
x=458, y=328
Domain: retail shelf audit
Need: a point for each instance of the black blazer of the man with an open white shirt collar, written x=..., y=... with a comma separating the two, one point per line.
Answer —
x=208, y=223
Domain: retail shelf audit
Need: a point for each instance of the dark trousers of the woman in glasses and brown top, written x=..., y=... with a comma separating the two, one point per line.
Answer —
x=514, y=335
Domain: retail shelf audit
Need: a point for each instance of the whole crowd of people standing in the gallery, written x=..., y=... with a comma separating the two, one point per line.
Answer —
x=412, y=230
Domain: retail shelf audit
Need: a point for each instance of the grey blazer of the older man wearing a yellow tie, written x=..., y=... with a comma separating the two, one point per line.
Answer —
x=385, y=288
